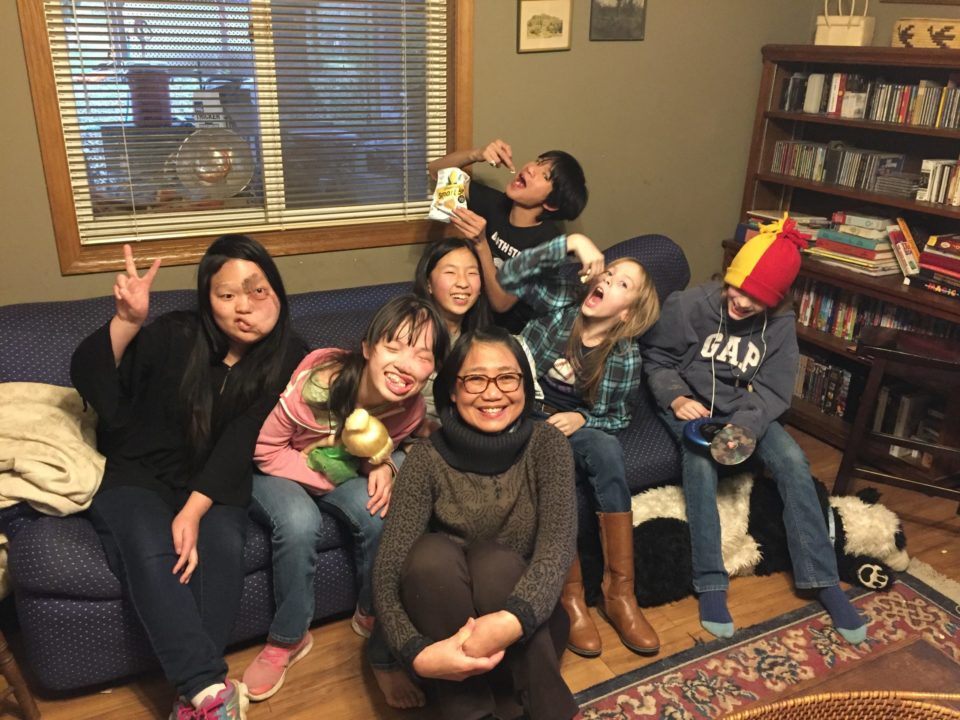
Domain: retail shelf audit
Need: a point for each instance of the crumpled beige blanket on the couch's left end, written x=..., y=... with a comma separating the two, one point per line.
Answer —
x=48, y=455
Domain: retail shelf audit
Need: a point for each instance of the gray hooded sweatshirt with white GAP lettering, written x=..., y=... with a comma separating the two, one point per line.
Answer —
x=753, y=361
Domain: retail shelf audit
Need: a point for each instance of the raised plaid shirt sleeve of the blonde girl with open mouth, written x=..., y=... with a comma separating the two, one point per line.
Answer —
x=552, y=291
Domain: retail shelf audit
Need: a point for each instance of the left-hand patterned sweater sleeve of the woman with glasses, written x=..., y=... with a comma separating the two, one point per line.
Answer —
x=411, y=507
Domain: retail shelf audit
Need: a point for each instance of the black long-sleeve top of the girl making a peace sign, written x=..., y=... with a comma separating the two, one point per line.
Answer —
x=140, y=429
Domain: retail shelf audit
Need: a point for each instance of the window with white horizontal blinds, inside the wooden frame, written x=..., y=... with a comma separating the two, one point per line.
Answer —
x=189, y=118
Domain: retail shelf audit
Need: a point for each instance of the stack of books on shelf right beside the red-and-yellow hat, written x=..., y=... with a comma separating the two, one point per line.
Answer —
x=860, y=243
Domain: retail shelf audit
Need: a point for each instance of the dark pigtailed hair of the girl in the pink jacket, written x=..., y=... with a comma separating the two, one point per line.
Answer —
x=415, y=312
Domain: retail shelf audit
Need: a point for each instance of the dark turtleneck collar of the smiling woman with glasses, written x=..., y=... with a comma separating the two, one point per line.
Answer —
x=467, y=449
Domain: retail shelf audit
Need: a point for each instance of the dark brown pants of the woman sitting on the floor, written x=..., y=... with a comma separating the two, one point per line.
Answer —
x=443, y=584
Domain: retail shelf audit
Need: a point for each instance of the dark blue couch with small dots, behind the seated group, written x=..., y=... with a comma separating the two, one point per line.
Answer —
x=77, y=629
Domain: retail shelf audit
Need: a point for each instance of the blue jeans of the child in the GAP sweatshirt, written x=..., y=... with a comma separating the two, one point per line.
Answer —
x=811, y=553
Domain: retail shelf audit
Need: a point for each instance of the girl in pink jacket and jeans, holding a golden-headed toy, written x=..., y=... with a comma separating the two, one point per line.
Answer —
x=303, y=466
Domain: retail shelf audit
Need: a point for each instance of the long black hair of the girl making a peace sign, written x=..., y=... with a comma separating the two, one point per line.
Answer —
x=261, y=366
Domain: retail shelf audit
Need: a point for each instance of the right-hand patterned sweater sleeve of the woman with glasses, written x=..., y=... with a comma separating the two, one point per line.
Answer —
x=536, y=593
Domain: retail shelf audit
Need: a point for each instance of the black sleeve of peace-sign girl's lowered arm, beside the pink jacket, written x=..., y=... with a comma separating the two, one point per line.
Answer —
x=227, y=474
